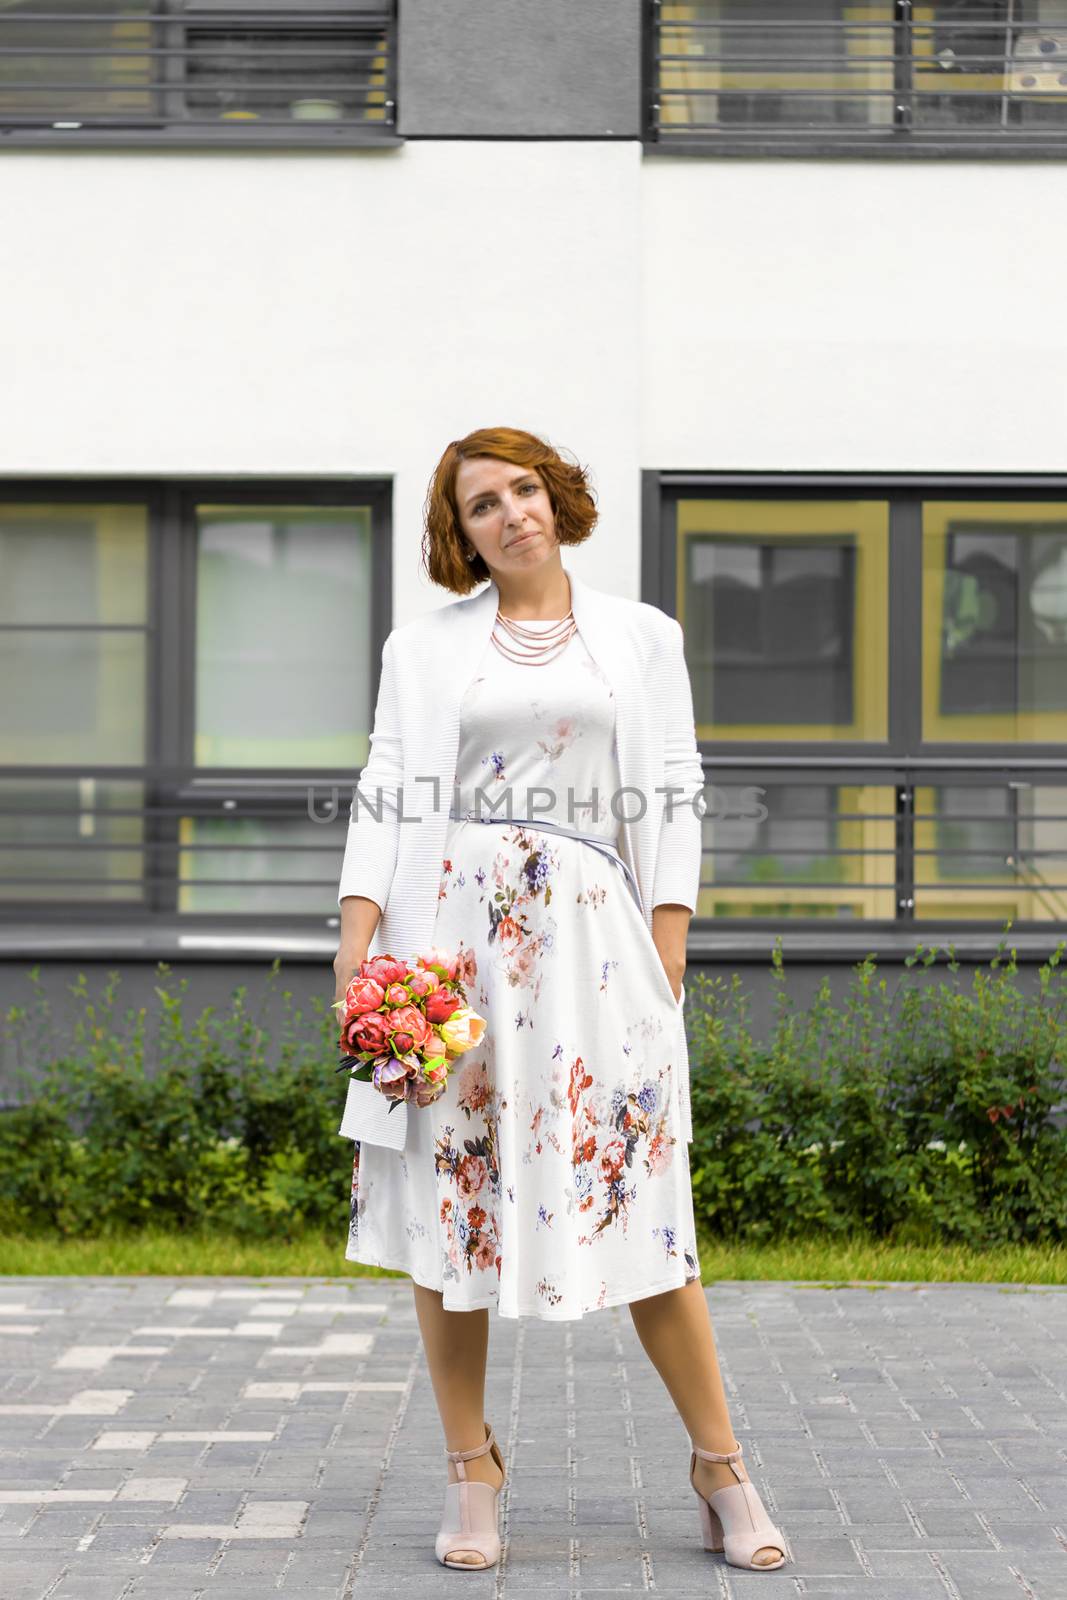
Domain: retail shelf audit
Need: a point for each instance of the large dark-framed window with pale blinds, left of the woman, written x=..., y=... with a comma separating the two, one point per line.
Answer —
x=180, y=676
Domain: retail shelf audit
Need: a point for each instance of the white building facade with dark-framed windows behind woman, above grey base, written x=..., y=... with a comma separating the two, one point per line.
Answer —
x=785, y=278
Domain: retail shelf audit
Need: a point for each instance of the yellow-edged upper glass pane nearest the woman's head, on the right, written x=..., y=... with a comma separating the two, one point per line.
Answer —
x=785, y=607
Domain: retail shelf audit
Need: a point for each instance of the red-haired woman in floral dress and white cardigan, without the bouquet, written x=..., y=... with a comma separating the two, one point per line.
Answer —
x=553, y=1177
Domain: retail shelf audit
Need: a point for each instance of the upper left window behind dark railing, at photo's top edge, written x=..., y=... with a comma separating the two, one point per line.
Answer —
x=198, y=73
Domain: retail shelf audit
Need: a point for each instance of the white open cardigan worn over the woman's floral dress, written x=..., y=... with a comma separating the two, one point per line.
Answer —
x=394, y=852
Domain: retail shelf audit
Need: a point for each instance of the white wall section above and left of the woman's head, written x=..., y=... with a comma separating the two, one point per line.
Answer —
x=327, y=314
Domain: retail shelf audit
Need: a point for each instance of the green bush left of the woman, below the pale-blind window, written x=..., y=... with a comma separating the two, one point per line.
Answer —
x=217, y=1134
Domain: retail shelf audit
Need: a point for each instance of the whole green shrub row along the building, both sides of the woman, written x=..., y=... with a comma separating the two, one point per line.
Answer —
x=933, y=1111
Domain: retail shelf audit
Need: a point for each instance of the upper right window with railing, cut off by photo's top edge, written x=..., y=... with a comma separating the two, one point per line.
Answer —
x=825, y=78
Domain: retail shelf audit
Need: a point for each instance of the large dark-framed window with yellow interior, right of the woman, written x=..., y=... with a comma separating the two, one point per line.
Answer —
x=881, y=694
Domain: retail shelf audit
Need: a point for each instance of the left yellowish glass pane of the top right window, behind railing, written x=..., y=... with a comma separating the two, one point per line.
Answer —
x=777, y=65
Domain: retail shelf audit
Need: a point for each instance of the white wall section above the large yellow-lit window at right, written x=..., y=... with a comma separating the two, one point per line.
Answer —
x=890, y=316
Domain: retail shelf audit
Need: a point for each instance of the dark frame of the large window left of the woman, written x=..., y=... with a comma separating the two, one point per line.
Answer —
x=174, y=785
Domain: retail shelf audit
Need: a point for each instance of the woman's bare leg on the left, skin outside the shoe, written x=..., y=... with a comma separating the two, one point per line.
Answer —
x=457, y=1348
